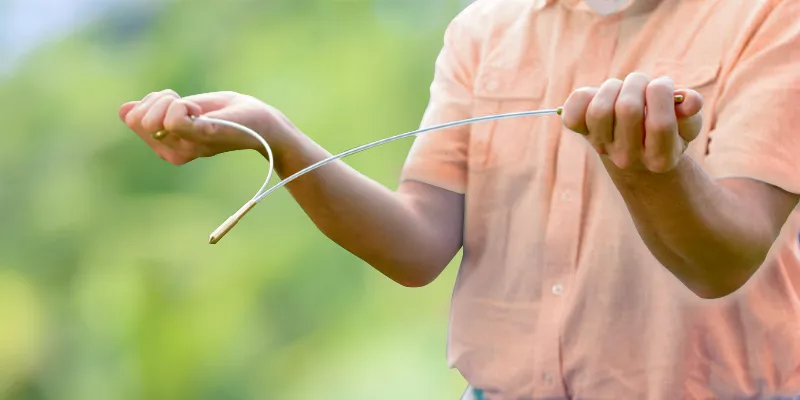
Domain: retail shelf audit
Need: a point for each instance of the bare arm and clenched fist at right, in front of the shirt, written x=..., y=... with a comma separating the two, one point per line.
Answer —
x=713, y=235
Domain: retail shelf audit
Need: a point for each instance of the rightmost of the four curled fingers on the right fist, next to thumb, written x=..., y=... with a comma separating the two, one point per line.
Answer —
x=662, y=145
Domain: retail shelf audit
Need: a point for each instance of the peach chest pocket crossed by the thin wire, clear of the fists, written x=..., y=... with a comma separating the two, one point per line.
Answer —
x=506, y=142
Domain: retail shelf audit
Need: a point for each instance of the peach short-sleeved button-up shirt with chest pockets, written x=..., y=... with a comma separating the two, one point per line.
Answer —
x=557, y=296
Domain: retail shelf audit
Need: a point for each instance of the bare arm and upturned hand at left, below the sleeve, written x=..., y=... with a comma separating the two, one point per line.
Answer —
x=409, y=235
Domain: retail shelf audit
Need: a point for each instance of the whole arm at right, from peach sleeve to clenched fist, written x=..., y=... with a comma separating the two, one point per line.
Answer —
x=711, y=227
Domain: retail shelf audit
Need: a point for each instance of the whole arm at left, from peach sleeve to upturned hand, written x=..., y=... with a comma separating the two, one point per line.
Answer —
x=410, y=235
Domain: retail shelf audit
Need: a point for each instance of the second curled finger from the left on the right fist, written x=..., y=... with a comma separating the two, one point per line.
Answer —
x=600, y=117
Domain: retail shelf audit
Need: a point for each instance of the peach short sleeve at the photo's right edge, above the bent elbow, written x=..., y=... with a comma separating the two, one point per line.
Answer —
x=756, y=134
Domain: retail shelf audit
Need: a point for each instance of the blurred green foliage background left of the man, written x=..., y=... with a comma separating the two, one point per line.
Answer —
x=108, y=289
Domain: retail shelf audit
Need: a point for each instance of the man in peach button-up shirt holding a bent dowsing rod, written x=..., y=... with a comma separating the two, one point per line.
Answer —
x=589, y=257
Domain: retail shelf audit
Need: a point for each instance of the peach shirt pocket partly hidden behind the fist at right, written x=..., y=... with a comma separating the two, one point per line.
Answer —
x=701, y=77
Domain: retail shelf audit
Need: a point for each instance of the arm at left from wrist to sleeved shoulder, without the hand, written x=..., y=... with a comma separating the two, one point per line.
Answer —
x=412, y=234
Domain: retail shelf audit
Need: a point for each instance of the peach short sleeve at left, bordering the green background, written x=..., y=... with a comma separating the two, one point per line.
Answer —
x=439, y=158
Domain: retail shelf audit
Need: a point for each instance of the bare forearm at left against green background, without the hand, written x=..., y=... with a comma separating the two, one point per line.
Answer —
x=378, y=225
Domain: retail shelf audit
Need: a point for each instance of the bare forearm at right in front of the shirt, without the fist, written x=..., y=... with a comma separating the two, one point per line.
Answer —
x=708, y=236
